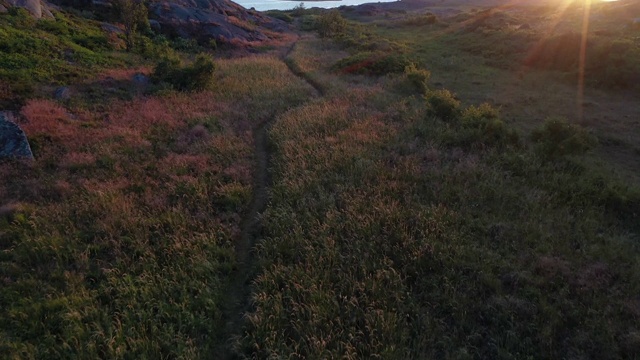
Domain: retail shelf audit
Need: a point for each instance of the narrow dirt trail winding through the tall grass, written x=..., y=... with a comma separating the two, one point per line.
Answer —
x=237, y=300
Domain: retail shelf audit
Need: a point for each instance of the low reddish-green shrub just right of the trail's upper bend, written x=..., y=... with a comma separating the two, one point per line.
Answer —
x=373, y=63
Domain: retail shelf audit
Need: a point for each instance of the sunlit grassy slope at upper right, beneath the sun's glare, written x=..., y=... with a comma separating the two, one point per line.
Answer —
x=486, y=57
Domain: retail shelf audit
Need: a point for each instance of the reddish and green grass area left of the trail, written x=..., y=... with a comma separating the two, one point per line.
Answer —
x=117, y=242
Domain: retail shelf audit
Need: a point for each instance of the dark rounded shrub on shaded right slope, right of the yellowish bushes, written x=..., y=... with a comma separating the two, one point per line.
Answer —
x=557, y=137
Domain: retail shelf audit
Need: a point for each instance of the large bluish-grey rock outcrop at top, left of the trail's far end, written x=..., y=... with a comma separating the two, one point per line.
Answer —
x=221, y=20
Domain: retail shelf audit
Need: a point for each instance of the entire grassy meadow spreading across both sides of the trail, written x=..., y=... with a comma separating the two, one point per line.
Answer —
x=416, y=208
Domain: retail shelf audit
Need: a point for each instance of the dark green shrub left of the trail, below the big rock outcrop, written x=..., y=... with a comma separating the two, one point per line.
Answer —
x=196, y=76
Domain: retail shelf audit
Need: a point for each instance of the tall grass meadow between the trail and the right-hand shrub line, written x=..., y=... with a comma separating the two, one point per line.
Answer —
x=394, y=234
